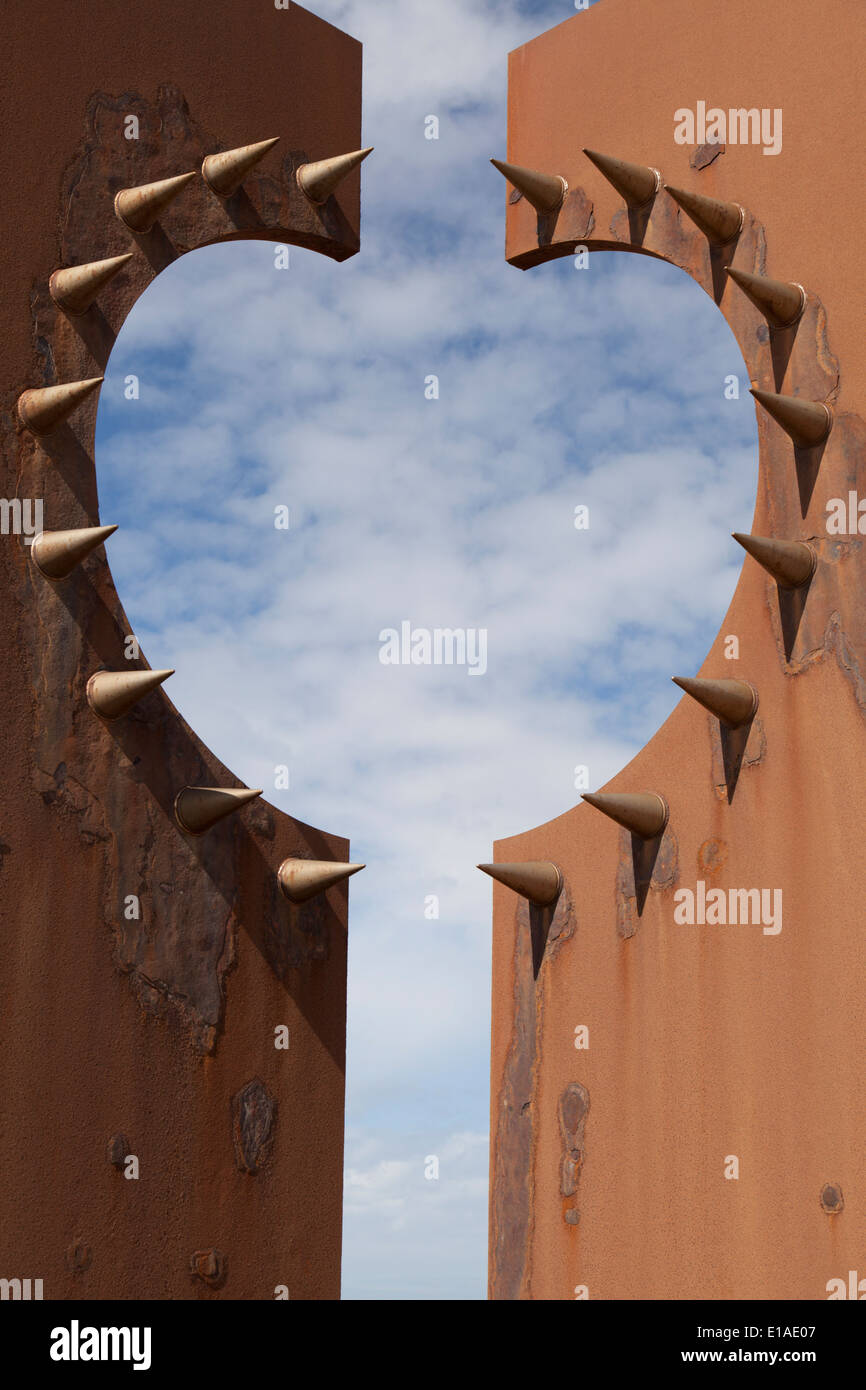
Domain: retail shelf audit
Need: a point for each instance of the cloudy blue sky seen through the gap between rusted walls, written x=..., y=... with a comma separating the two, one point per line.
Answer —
x=305, y=387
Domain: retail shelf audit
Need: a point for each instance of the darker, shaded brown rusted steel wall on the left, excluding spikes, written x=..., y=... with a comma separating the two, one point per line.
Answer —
x=149, y=1033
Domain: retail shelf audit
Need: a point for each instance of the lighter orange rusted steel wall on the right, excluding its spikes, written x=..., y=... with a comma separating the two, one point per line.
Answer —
x=705, y=1042
